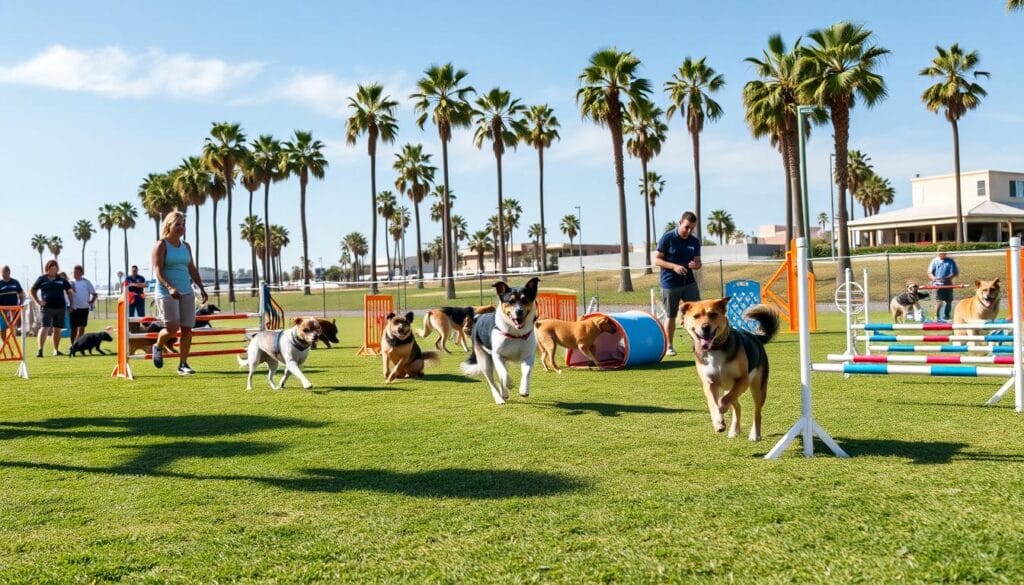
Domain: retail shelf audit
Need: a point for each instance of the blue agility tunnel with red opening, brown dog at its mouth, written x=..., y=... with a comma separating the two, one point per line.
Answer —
x=638, y=340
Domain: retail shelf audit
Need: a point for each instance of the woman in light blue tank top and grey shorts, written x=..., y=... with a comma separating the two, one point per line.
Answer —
x=176, y=273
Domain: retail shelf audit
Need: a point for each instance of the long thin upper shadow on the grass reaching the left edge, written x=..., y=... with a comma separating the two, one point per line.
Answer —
x=186, y=426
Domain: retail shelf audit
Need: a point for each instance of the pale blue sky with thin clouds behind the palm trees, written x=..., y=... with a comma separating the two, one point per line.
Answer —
x=94, y=97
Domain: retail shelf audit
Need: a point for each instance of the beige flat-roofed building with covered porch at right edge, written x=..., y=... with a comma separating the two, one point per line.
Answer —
x=993, y=206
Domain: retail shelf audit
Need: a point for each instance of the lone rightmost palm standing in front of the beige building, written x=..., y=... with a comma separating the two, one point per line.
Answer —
x=956, y=94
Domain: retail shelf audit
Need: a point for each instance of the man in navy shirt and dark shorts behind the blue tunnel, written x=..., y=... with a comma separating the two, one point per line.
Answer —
x=678, y=256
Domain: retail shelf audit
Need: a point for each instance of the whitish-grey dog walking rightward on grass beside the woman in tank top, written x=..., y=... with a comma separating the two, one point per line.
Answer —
x=290, y=346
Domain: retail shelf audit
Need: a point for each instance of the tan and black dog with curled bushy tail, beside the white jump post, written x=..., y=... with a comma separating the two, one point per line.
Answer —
x=730, y=359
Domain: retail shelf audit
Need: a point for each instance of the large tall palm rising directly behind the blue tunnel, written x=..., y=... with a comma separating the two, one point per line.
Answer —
x=611, y=74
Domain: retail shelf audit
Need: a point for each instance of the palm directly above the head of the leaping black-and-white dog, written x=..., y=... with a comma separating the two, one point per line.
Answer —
x=499, y=119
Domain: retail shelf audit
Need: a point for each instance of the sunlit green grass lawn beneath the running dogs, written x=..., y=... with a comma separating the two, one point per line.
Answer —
x=599, y=477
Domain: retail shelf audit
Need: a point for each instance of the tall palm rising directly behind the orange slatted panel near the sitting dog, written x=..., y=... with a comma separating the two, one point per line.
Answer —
x=373, y=115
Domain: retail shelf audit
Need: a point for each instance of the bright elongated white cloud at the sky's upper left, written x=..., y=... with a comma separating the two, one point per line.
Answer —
x=114, y=73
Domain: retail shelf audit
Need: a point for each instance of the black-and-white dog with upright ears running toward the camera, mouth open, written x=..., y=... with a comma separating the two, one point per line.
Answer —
x=504, y=337
